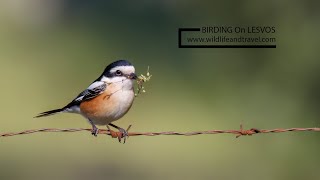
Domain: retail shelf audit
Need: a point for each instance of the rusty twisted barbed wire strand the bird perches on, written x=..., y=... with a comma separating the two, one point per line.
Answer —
x=118, y=135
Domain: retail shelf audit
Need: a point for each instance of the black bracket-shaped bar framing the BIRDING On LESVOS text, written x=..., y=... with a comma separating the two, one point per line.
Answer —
x=215, y=46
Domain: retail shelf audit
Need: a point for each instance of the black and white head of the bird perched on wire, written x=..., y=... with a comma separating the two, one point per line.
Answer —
x=120, y=71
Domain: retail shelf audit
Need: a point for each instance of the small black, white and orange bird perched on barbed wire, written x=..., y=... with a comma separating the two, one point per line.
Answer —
x=107, y=99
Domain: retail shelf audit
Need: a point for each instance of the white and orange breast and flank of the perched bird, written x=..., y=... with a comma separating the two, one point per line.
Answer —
x=109, y=106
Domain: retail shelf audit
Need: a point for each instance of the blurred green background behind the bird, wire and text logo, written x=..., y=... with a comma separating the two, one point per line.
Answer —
x=50, y=50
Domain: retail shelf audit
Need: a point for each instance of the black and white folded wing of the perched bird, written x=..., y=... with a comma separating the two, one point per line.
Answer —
x=96, y=88
